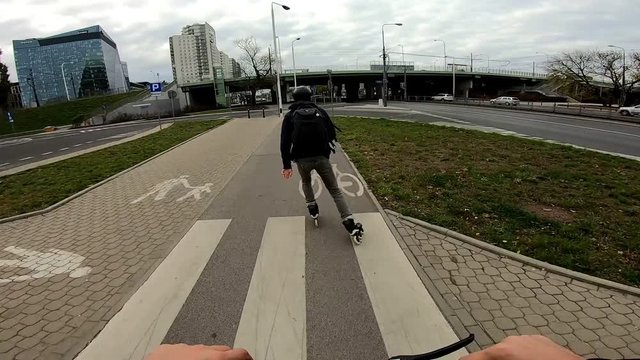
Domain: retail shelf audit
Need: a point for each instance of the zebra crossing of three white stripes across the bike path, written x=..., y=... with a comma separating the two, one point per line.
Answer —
x=273, y=322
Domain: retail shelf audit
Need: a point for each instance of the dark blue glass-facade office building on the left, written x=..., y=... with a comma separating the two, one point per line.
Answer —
x=74, y=64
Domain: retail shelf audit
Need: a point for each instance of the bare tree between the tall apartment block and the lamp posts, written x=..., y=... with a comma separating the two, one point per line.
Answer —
x=256, y=67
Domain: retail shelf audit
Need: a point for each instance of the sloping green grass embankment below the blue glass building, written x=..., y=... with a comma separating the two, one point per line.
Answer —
x=63, y=113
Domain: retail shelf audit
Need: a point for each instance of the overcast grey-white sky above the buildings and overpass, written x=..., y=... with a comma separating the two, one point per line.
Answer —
x=337, y=33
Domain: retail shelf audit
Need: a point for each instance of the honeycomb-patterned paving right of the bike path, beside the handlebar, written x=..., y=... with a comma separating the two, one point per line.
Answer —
x=494, y=297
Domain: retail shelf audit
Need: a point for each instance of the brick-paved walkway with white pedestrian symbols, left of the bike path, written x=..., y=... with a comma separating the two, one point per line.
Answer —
x=50, y=308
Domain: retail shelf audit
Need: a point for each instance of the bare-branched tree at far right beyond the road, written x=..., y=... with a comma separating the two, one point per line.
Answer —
x=593, y=69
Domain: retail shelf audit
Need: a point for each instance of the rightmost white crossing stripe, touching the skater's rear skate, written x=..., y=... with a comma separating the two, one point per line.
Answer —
x=409, y=319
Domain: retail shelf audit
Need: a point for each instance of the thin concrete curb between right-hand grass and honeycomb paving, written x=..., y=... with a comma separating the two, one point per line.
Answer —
x=574, y=275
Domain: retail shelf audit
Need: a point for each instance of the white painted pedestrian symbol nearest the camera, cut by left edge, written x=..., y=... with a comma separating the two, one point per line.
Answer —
x=44, y=265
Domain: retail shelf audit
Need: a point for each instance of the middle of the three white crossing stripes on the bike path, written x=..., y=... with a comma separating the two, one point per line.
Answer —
x=273, y=322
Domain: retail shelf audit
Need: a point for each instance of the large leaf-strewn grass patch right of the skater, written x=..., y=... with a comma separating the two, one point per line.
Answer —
x=573, y=208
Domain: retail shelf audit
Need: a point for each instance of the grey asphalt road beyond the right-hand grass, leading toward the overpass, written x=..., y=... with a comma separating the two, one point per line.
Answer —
x=605, y=135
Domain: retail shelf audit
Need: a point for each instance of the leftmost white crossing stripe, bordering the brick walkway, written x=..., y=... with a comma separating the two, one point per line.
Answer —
x=145, y=319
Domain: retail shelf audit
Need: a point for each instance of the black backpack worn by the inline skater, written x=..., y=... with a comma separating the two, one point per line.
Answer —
x=310, y=129
